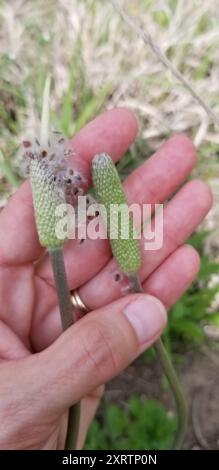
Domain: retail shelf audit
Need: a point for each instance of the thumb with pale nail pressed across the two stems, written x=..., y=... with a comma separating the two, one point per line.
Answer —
x=98, y=347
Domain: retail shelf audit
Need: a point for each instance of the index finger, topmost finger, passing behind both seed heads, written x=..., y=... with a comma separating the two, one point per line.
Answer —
x=112, y=132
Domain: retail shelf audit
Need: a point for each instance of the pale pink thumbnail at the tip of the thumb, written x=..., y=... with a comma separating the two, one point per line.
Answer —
x=147, y=316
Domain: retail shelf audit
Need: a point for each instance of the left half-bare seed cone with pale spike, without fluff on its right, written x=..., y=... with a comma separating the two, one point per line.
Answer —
x=47, y=194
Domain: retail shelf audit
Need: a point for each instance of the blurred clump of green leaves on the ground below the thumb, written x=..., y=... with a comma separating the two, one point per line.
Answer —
x=143, y=424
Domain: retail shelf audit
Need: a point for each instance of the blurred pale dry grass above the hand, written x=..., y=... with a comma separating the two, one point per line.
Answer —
x=38, y=35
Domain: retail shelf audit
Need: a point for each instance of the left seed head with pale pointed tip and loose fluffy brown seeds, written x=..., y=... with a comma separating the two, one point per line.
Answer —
x=52, y=182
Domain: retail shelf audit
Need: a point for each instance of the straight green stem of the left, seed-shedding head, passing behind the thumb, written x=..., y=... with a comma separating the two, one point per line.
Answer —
x=68, y=317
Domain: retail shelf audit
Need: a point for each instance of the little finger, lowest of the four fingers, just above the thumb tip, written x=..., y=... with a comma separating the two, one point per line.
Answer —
x=168, y=282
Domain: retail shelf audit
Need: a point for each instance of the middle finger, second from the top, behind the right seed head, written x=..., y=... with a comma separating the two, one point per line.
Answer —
x=149, y=183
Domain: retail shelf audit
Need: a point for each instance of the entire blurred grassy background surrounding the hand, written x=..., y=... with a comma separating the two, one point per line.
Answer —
x=97, y=62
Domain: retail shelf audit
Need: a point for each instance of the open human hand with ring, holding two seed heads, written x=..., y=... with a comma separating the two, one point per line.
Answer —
x=42, y=373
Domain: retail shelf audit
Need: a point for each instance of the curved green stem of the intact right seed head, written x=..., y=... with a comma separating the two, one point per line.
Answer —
x=167, y=366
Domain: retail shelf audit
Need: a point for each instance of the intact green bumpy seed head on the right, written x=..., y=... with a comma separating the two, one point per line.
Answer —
x=110, y=193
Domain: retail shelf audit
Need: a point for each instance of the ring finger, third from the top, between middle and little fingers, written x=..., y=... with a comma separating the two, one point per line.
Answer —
x=181, y=217
